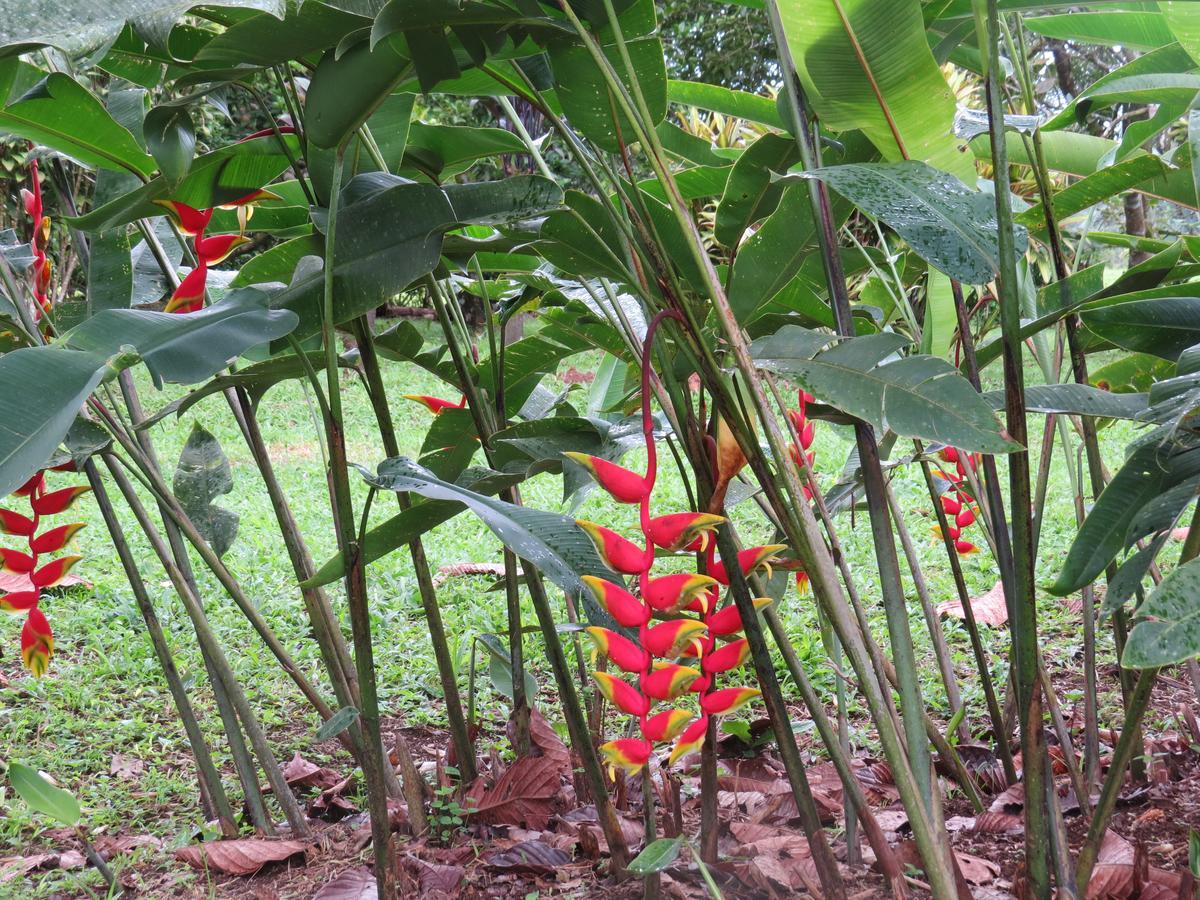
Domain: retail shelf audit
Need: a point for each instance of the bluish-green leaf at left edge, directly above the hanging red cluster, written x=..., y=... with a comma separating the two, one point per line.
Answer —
x=45, y=388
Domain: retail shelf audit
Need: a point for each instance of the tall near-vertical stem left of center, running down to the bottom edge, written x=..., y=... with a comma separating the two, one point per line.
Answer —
x=352, y=551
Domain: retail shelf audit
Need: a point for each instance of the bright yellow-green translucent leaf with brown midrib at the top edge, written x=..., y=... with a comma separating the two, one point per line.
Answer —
x=867, y=65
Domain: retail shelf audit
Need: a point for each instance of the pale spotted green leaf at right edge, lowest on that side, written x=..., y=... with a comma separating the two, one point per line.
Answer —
x=1168, y=622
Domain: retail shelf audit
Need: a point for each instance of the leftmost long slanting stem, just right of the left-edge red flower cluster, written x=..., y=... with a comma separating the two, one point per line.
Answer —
x=212, y=789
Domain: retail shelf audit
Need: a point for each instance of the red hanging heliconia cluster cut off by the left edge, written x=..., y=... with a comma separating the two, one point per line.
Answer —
x=37, y=638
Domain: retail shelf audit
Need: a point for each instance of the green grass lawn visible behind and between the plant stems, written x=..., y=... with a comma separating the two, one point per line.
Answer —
x=105, y=694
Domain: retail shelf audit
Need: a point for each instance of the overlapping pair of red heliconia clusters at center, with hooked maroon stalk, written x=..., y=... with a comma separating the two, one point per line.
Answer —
x=682, y=655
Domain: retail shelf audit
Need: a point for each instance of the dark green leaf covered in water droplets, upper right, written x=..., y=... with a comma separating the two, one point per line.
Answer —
x=949, y=225
